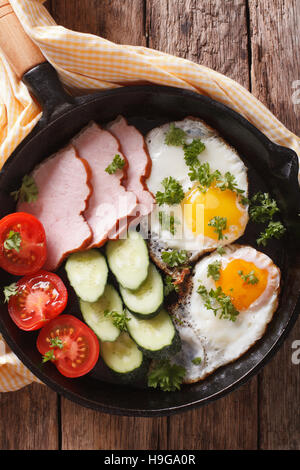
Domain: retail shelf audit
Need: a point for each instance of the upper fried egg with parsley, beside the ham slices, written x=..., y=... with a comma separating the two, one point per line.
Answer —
x=192, y=229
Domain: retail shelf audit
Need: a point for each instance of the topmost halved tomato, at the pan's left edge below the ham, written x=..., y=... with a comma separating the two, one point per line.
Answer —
x=26, y=233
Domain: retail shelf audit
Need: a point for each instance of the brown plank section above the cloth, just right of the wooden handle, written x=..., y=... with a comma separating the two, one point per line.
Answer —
x=117, y=20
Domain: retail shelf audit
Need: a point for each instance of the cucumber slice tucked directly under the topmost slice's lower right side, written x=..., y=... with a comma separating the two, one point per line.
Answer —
x=147, y=300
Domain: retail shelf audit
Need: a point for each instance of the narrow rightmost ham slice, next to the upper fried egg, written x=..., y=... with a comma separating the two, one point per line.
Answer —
x=134, y=149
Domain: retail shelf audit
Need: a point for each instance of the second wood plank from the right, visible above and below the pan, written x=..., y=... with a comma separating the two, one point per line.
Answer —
x=213, y=34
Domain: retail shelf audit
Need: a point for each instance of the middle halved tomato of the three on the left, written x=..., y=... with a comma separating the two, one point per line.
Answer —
x=39, y=299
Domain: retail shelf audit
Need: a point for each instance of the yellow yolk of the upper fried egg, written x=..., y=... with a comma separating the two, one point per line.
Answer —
x=199, y=208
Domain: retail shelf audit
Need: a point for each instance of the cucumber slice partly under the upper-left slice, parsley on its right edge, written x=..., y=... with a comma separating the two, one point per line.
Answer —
x=93, y=314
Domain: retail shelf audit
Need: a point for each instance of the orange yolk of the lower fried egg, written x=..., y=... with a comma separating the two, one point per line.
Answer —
x=242, y=292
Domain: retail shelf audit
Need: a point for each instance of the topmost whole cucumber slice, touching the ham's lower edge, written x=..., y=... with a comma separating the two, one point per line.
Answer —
x=128, y=259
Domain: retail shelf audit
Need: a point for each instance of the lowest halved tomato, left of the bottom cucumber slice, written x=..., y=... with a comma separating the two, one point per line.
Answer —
x=70, y=344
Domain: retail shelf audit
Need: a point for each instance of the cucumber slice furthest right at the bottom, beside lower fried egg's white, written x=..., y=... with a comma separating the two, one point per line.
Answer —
x=157, y=337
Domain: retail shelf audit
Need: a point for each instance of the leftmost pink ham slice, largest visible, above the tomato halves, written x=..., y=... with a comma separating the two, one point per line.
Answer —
x=64, y=189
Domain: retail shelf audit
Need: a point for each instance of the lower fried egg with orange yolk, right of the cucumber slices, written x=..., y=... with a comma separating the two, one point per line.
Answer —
x=252, y=281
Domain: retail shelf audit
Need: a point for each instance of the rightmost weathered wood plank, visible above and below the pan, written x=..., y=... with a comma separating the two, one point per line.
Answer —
x=275, y=45
